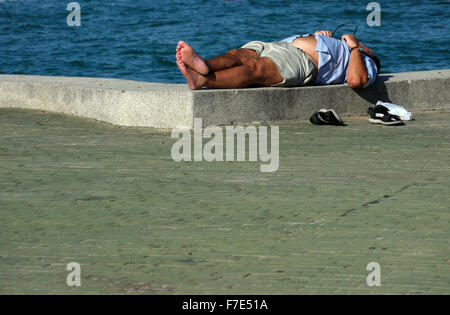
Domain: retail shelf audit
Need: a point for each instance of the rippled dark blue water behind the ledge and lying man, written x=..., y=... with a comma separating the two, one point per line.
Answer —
x=136, y=39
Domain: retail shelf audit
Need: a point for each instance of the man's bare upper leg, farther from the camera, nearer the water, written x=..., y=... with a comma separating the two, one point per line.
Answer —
x=233, y=58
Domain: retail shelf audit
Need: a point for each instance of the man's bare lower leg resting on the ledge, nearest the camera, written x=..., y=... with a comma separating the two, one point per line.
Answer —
x=261, y=72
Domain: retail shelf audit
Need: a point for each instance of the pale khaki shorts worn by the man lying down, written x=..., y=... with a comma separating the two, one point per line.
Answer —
x=294, y=65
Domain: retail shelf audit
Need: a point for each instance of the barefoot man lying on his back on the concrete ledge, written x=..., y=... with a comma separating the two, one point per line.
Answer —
x=312, y=59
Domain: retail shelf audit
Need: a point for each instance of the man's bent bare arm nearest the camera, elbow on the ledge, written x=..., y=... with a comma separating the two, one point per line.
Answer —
x=356, y=74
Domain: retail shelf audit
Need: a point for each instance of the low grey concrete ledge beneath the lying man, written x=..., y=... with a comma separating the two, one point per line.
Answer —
x=132, y=103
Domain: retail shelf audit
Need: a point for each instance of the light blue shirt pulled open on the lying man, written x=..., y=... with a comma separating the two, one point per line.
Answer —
x=334, y=57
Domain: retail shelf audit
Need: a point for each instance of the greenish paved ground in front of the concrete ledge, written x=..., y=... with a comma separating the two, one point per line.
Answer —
x=112, y=199
